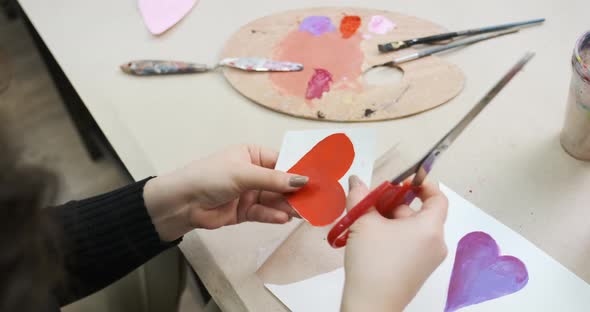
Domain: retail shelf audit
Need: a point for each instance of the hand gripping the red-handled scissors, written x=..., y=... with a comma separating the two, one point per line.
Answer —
x=388, y=260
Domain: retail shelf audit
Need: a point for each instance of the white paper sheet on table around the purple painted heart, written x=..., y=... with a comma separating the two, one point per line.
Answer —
x=551, y=287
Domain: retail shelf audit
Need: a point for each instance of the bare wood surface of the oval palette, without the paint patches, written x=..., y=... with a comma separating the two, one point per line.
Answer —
x=426, y=83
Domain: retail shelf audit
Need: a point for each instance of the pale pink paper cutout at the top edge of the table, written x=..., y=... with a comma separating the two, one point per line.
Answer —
x=161, y=15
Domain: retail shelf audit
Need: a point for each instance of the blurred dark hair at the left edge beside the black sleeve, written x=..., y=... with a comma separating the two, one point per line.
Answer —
x=29, y=256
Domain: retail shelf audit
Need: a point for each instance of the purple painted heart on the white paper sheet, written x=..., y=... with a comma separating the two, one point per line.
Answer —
x=481, y=274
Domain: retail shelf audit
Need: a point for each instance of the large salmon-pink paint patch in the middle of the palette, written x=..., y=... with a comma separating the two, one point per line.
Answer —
x=340, y=57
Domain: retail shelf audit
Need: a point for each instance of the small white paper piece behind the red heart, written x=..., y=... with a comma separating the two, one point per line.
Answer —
x=298, y=143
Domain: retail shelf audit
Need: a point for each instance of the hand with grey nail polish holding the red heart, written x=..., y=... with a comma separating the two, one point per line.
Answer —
x=226, y=188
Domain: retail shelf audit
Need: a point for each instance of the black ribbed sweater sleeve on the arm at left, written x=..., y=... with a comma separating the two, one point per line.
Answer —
x=104, y=238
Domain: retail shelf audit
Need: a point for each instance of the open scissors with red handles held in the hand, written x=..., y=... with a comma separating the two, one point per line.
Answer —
x=391, y=194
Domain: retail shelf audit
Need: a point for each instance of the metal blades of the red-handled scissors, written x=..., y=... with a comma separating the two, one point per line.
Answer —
x=424, y=165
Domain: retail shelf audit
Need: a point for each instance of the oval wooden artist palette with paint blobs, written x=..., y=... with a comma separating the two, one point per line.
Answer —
x=337, y=46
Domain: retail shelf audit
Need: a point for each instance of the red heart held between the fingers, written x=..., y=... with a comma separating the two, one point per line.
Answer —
x=322, y=199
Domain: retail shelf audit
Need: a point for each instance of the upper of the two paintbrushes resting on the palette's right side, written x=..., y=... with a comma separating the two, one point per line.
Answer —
x=402, y=44
